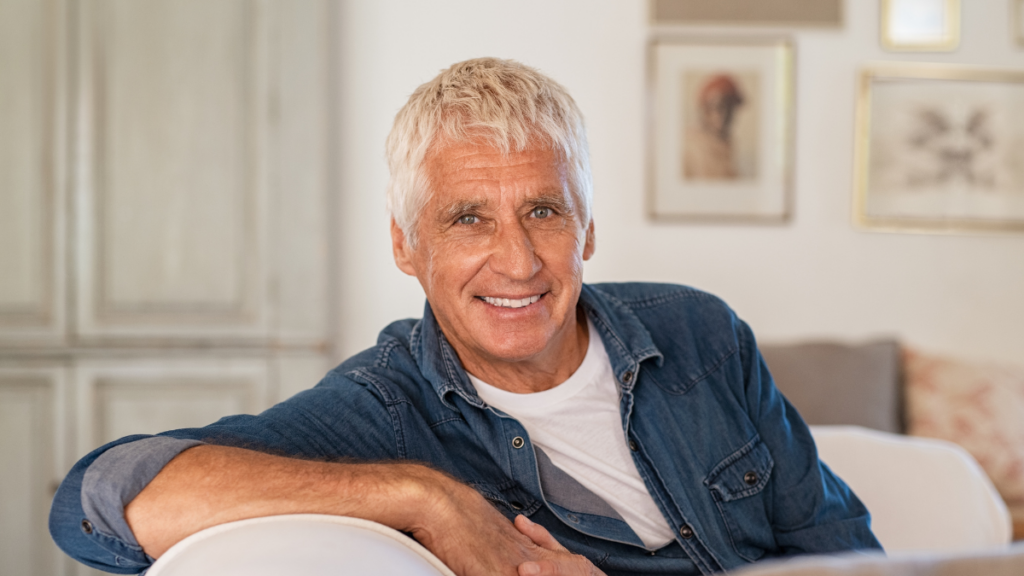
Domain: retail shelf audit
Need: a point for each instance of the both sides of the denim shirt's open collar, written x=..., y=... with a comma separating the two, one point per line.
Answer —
x=626, y=339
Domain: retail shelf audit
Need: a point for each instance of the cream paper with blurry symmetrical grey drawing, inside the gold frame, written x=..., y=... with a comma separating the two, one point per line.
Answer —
x=982, y=183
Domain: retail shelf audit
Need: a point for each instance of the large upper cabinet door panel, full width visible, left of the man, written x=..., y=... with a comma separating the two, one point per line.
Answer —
x=174, y=210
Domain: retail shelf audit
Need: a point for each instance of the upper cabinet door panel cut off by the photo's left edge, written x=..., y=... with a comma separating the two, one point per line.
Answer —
x=27, y=205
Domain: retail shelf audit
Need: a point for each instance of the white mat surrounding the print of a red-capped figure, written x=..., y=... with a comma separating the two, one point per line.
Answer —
x=761, y=197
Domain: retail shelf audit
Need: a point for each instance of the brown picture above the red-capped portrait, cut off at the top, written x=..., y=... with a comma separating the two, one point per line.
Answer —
x=826, y=14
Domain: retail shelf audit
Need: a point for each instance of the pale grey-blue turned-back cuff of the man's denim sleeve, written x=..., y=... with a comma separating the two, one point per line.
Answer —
x=119, y=475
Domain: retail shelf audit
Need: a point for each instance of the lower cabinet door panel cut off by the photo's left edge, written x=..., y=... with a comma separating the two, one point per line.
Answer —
x=27, y=475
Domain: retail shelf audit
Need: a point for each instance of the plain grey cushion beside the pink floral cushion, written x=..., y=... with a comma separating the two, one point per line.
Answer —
x=835, y=384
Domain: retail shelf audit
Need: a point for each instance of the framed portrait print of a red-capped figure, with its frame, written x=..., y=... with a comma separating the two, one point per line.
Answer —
x=720, y=130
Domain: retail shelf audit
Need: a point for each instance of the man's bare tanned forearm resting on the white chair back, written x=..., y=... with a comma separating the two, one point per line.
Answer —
x=210, y=485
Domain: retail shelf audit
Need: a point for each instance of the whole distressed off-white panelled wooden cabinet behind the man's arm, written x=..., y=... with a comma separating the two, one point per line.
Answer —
x=165, y=255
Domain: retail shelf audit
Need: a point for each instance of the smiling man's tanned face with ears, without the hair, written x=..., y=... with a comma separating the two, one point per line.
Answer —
x=500, y=254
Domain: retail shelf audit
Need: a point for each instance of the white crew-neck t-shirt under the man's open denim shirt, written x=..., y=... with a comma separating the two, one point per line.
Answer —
x=579, y=427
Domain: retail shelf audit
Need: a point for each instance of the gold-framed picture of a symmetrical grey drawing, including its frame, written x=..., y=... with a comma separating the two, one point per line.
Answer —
x=940, y=149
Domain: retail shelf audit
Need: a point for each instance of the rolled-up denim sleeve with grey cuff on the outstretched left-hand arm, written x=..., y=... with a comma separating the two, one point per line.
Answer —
x=336, y=420
